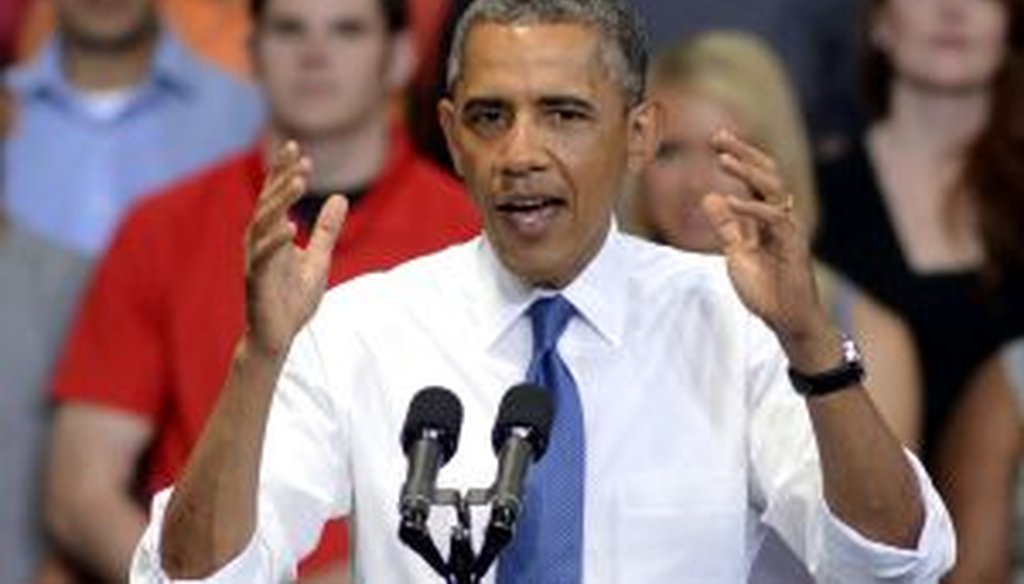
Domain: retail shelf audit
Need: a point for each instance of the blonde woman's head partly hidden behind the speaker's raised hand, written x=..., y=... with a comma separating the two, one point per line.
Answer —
x=711, y=82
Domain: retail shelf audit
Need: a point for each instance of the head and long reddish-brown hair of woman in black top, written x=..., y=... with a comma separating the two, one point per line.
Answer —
x=958, y=50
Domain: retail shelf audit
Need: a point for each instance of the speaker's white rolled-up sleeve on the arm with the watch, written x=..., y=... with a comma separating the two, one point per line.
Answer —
x=789, y=492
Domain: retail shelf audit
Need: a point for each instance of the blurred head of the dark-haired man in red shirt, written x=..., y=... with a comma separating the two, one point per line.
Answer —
x=328, y=67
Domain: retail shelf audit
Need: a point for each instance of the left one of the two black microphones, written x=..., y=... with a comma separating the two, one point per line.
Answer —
x=430, y=439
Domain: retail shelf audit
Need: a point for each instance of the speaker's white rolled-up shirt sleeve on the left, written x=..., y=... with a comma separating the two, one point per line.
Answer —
x=304, y=480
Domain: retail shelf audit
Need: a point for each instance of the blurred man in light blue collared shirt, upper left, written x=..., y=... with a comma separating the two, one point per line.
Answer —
x=113, y=109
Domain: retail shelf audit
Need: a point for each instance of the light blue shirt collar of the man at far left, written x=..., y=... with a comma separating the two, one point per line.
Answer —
x=173, y=67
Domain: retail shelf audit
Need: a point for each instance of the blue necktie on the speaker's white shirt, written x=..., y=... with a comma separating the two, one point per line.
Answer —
x=548, y=544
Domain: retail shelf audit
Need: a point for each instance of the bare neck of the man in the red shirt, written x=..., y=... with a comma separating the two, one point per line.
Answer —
x=353, y=159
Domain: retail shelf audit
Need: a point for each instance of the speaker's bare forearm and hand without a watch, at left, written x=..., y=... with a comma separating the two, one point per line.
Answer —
x=212, y=514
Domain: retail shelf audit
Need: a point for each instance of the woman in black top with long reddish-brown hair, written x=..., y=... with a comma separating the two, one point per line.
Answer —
x=926, y=217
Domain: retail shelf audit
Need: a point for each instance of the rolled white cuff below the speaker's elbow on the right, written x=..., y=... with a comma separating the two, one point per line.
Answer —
x=857, y=559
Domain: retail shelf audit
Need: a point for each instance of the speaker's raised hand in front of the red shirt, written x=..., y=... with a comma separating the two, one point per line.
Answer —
x=284, y=282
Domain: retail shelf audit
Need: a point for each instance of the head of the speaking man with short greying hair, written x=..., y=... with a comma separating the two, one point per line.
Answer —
x=545, y=120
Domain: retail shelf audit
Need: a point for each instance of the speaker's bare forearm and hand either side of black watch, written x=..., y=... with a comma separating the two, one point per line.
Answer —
x=869, y=482
